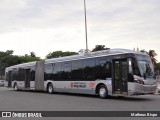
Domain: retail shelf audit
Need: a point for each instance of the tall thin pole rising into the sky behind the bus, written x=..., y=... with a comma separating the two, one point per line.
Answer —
x=86, y=26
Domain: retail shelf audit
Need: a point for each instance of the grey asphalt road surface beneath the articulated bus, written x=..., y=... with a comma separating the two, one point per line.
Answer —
x=11, y=100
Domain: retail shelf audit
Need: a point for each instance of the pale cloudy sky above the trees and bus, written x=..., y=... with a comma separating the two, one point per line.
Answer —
x=44, y=26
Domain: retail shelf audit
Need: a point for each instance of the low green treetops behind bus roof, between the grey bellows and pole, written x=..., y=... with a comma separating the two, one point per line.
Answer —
x=56, y=54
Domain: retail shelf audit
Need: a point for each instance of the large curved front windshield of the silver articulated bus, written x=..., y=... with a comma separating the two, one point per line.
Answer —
x=145, y=66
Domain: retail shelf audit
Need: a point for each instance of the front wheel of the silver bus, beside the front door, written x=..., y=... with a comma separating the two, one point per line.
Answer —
x=103, y=92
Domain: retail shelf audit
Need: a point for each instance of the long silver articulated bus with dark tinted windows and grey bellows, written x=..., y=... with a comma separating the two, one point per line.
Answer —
x=114, y=72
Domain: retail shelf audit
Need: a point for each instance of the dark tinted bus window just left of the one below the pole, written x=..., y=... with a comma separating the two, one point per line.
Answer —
x=77, y=70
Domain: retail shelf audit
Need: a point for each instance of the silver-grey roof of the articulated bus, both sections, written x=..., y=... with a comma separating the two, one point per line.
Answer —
x=80, y=56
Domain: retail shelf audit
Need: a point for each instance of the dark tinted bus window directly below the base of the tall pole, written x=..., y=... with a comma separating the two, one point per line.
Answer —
x=88, y=66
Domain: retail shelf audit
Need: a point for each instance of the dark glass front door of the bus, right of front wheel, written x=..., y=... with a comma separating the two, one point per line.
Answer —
x=120, y=71
